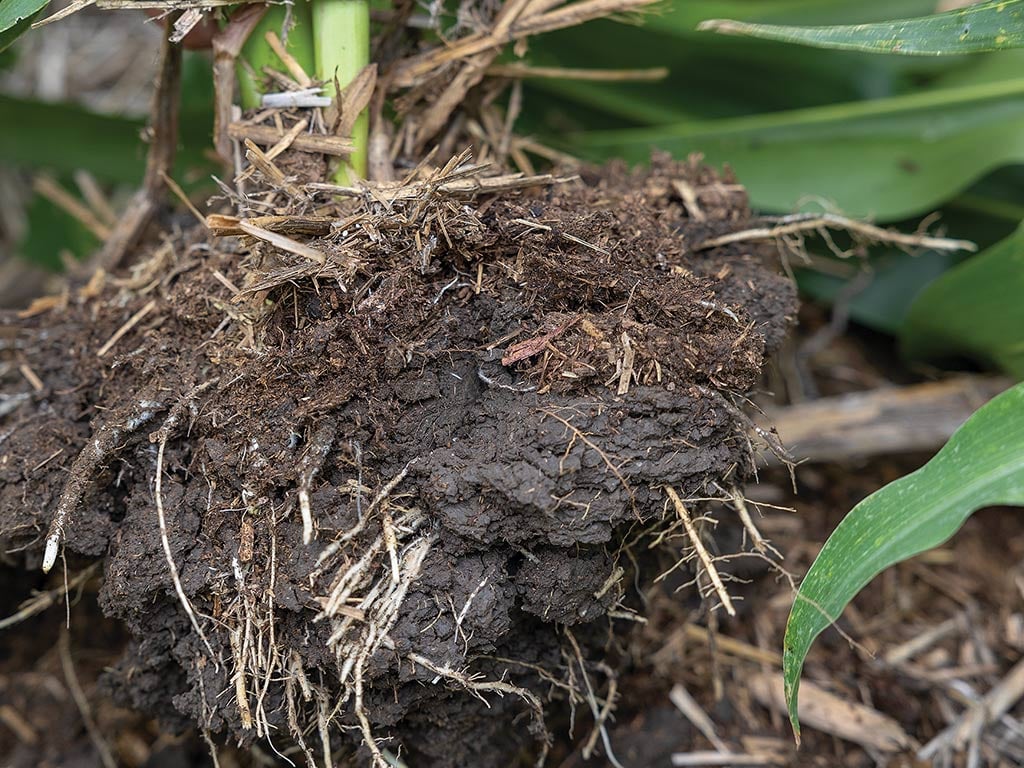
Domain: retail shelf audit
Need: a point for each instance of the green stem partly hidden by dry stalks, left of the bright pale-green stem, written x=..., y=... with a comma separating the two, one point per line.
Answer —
x=258, y=54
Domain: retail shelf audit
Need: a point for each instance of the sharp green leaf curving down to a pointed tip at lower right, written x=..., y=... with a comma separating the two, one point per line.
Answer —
x=983, y=465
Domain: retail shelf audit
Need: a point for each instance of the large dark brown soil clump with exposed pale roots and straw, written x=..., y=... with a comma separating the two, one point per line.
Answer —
x=393, y=458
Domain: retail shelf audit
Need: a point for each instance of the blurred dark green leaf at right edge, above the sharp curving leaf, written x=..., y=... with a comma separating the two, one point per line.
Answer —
x=974, y=311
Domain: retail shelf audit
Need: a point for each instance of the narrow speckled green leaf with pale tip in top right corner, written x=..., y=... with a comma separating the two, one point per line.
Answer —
x=986, y=27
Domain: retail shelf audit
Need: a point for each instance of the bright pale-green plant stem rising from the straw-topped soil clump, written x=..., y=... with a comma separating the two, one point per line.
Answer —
x=342, y=29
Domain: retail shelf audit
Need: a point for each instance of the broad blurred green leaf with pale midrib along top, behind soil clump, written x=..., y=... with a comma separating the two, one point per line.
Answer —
x=888, y=158
